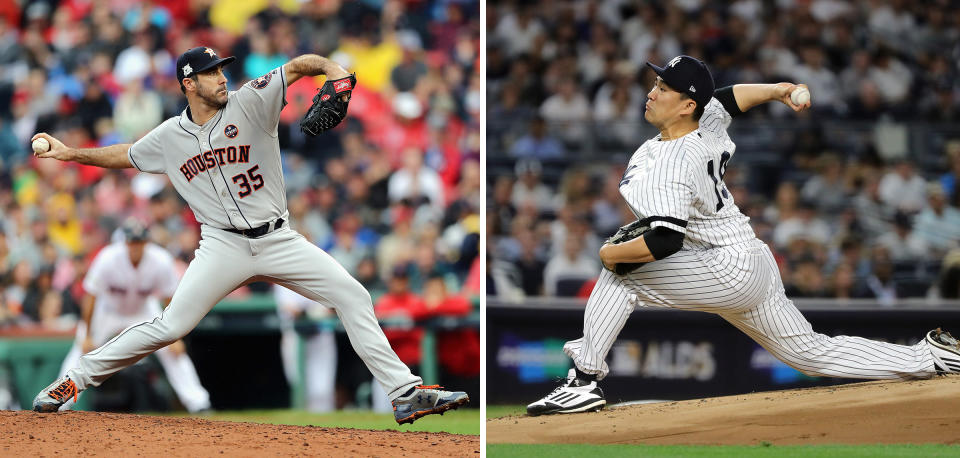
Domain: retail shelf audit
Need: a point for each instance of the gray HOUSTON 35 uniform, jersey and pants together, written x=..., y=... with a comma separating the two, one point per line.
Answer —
x=228, y=170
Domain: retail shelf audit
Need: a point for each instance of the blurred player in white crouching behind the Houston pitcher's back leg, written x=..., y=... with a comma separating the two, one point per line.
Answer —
x=123, y=286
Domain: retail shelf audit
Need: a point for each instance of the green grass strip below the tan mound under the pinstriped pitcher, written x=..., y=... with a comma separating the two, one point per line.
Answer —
x=806, y=451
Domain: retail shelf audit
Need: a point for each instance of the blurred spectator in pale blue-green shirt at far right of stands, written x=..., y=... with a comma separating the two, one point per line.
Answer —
x=938, y=224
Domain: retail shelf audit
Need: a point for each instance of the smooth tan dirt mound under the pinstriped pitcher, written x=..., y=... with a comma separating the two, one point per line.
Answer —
x=924, y=411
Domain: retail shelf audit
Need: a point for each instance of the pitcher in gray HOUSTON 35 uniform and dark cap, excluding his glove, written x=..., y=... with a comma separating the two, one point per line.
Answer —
x=223, y=157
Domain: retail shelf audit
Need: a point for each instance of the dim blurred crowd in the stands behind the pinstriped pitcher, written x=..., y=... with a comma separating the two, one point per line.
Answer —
x=868, y=216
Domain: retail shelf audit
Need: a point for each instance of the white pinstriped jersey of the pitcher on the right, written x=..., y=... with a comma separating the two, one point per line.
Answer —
x=678, y=184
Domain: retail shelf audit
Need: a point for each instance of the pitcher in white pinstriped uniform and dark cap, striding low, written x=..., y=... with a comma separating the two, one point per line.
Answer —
x=700, y=252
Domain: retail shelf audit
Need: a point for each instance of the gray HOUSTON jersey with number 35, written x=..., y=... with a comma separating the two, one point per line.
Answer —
x=228, y=169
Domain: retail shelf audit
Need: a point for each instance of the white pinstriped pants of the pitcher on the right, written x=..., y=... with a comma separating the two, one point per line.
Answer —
x=742, y=284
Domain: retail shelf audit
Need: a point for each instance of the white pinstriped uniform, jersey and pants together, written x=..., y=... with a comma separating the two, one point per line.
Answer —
x=723, y=268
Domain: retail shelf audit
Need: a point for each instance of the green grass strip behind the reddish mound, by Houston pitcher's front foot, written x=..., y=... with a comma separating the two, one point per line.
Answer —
x=460, y=421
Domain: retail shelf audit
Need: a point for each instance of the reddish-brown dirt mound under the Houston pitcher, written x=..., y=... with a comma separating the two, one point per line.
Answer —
x=27, y=433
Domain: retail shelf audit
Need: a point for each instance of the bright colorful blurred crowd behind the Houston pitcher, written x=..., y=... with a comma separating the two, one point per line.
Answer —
x=394, y=192
